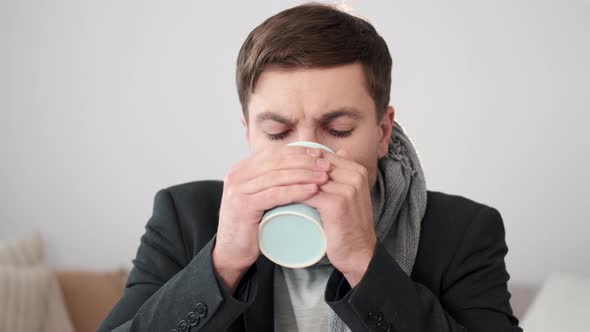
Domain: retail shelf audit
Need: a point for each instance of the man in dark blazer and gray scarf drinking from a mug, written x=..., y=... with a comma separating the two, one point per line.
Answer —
x=399, y=257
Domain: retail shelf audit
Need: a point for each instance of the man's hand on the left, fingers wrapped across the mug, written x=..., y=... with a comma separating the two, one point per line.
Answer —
x=252, y=186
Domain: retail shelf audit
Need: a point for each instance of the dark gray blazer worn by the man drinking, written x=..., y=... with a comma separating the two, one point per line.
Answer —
x=459, y=281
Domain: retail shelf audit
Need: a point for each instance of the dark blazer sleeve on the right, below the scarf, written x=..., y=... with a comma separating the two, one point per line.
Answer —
x=474, y=294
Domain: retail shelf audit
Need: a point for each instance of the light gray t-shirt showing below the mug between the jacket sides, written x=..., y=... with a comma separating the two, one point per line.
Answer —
x=299, y=298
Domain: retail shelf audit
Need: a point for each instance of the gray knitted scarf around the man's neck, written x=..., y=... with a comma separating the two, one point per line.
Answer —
x=399, y=203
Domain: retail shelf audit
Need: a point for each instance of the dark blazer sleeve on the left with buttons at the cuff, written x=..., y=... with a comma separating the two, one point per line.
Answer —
x=169, y=291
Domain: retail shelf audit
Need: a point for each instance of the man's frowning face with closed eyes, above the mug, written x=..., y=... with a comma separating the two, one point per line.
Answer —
x=330, y=106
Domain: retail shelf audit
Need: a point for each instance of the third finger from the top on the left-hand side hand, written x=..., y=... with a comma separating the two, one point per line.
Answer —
x=283, y=177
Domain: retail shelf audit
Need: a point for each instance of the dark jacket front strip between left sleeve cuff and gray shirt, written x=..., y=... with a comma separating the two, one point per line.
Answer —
x=259, y=317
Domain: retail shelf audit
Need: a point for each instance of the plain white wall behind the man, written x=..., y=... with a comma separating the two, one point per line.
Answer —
x=102, y=103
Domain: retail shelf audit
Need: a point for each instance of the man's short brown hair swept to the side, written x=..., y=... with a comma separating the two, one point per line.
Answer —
x=315, y=35
